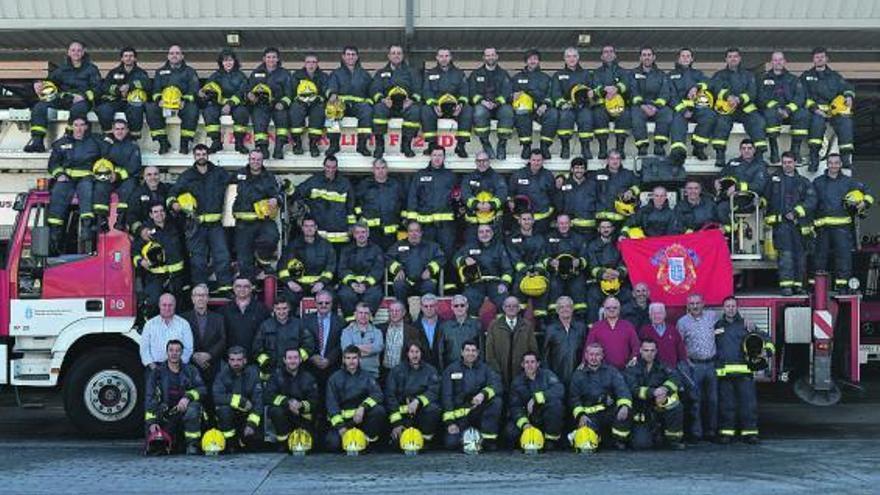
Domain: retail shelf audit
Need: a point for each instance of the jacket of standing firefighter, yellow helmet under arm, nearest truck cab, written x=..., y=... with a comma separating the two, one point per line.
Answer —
x=208, y=188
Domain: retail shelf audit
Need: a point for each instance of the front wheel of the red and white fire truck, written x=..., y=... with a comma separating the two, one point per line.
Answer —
x=103, y=393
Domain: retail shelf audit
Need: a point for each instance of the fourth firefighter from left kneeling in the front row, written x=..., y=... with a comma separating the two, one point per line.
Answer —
x=354, y=399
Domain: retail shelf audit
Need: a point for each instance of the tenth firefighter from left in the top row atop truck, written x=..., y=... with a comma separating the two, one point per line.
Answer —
x=489, y=89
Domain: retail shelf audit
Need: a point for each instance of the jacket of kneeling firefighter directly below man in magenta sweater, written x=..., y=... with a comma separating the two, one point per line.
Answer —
x=591, y=391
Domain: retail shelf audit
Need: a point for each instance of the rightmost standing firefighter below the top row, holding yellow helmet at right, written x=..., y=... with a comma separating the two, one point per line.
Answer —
x=834, y=221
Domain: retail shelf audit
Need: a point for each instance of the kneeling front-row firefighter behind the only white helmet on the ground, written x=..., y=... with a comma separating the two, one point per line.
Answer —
x=471, y=396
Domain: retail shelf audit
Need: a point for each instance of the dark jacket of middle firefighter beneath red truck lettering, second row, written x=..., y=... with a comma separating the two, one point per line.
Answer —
x=380, y=203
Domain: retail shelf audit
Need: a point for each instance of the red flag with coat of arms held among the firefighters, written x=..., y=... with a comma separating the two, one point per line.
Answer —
x=676, y=266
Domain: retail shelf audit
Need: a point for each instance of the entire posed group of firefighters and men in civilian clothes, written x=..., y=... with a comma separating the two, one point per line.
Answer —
x=575, y=357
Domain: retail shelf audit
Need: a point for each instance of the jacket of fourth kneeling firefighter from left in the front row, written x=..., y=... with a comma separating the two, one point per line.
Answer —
x=346, y=392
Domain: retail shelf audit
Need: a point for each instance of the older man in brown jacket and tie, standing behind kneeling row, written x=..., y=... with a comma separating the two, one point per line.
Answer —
x=509, y=337
